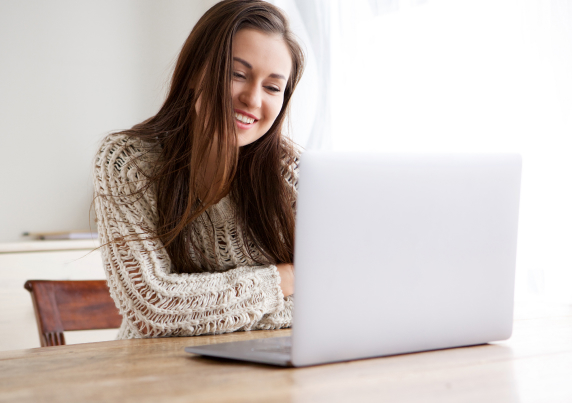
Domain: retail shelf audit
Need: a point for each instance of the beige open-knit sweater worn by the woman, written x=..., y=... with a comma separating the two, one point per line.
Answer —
x=153, y=299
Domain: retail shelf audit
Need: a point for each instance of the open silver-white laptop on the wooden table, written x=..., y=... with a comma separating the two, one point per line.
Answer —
x=396, y=253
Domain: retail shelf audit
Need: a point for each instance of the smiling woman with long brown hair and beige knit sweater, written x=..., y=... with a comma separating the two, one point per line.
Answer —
x=195, y=205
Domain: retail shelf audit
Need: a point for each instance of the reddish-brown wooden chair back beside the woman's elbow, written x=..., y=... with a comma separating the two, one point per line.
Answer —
x=71, y=305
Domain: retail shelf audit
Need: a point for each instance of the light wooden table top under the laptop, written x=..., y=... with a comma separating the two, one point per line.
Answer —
x=535, y=365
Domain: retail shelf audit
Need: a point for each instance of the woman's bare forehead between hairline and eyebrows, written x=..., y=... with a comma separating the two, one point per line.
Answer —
x=267, y=53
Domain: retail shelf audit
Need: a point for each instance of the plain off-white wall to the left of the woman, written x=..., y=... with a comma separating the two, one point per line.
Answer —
x=71, y=71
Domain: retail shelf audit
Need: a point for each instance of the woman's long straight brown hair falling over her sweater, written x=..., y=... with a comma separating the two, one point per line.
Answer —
x=254, y=175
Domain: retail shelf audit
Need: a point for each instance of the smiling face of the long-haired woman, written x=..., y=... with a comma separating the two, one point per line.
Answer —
x=261, y=67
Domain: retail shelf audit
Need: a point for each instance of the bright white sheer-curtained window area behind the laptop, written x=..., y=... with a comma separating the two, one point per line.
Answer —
x=455, y=76
